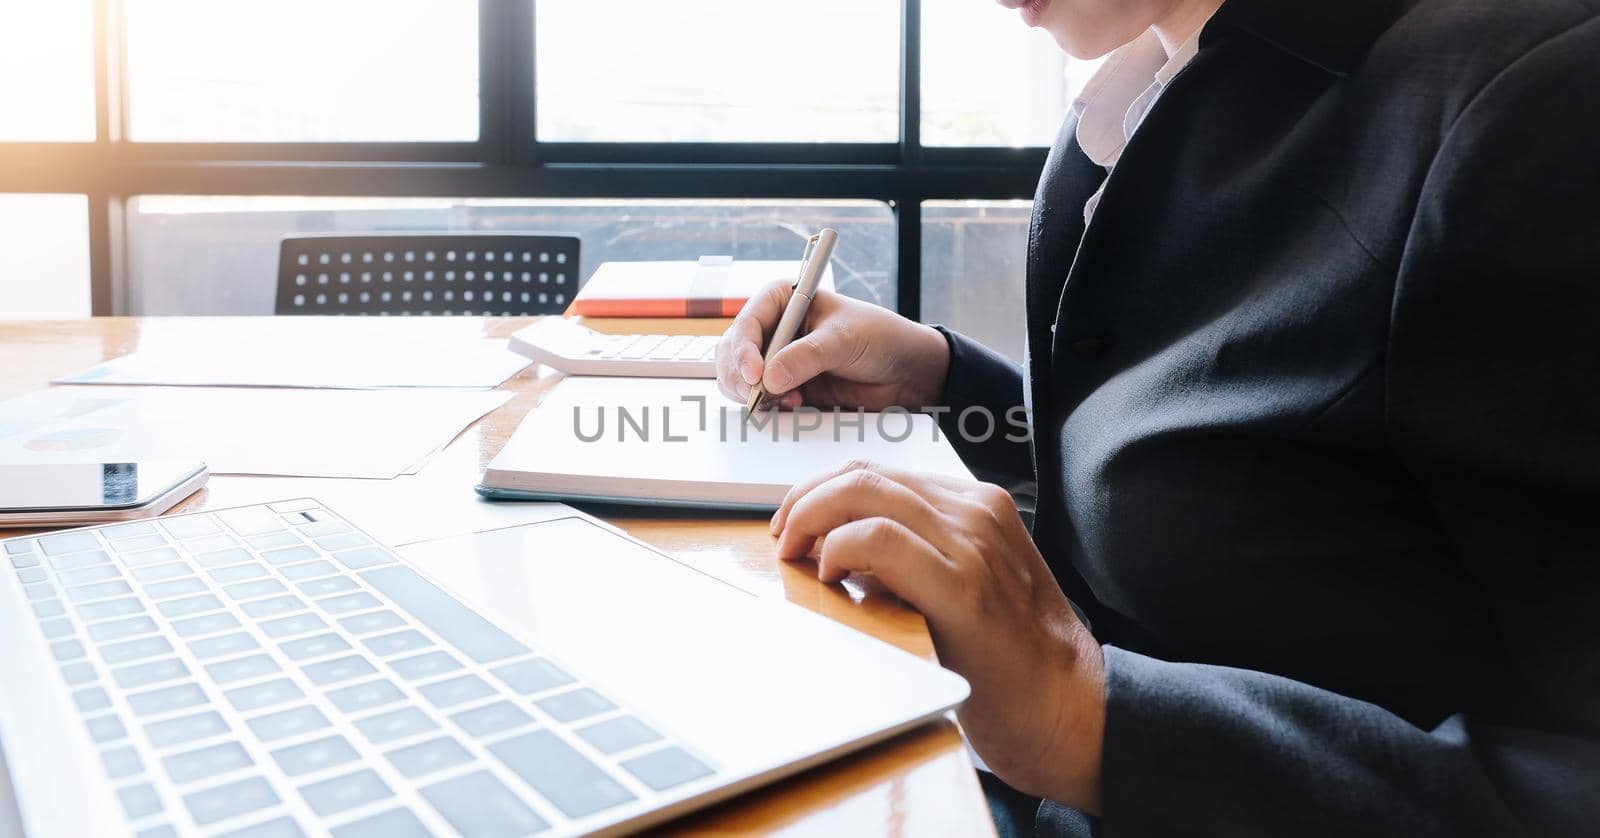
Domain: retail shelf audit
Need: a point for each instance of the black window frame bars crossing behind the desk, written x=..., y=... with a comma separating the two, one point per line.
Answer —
x=508, y=161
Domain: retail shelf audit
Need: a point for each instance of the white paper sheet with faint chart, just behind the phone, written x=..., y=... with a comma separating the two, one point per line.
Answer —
x=364, y=434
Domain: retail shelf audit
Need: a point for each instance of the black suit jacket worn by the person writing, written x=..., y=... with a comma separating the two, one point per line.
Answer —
x=1316, y=405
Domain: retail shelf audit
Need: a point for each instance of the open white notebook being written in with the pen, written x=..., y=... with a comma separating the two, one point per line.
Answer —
x=679, y=442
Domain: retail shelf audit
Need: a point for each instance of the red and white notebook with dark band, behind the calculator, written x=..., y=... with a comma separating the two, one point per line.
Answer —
x=713, y=287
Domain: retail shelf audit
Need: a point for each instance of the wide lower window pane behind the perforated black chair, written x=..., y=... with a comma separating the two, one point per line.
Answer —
x=241, y=239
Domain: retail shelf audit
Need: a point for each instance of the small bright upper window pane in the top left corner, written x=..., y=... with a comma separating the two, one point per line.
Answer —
x=47, y=71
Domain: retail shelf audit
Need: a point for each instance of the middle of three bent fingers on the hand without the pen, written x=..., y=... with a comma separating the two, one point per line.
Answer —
x=854, y=497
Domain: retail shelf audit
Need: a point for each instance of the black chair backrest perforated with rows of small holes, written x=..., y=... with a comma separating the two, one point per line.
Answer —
x=428, y=274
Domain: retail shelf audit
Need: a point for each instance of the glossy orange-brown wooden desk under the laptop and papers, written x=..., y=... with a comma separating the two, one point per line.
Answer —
x=916, y=784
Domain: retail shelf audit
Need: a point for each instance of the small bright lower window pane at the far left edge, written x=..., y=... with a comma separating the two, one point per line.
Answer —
x=44, y=257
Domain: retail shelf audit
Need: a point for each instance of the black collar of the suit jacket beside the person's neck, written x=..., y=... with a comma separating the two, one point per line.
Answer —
x=1330, y=34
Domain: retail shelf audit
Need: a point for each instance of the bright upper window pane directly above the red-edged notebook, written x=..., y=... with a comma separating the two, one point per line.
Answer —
x=770, y=71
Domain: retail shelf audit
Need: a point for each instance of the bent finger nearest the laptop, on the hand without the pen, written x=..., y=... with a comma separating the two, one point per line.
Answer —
x=905, y=562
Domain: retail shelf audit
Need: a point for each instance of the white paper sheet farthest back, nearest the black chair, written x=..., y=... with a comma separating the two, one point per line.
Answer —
x=313, y=353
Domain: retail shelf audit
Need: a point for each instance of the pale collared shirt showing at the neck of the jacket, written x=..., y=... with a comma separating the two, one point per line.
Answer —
x=1119, y=97
